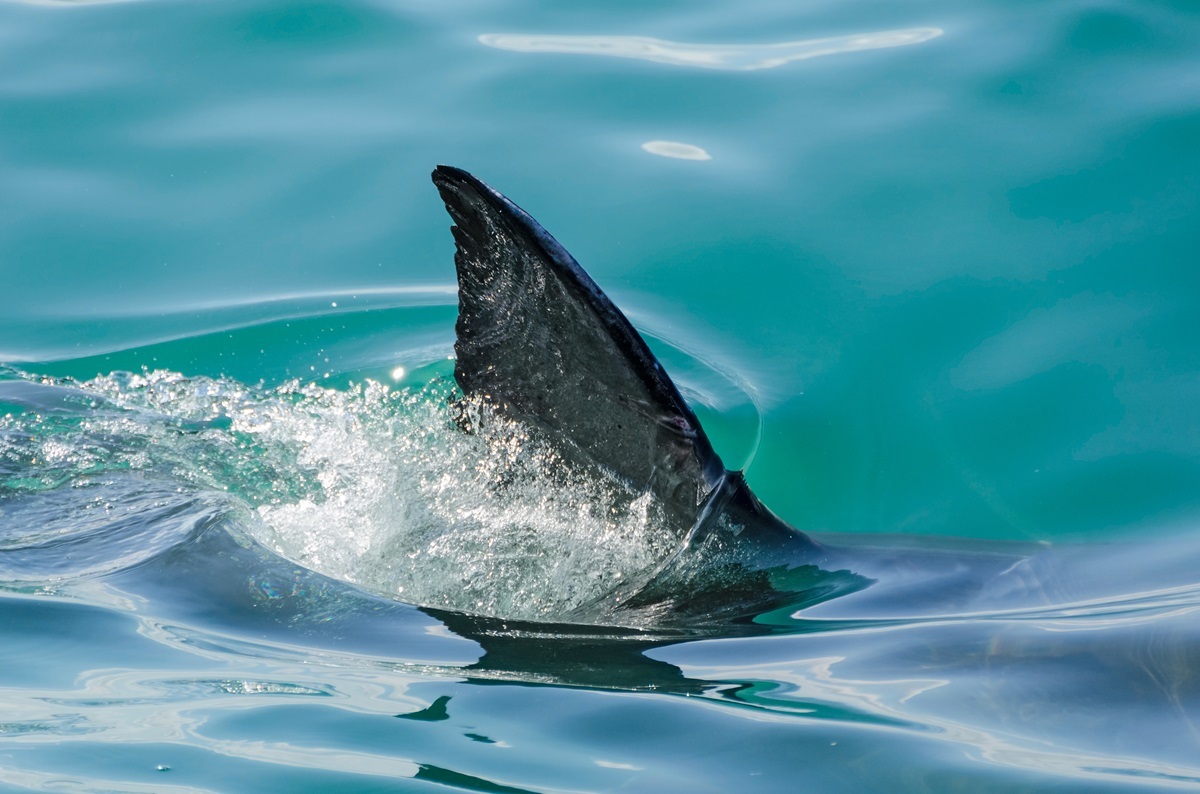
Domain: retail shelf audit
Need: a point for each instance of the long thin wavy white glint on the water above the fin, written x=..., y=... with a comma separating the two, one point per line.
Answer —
x=735, y=58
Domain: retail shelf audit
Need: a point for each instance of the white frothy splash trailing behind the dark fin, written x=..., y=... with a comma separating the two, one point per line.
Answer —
x=373, y=485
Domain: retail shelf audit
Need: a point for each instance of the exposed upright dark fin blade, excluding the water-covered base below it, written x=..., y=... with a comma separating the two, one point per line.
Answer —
x=541, y=344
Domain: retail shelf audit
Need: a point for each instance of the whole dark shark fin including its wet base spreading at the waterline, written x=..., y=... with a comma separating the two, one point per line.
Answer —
x=539, y=344
